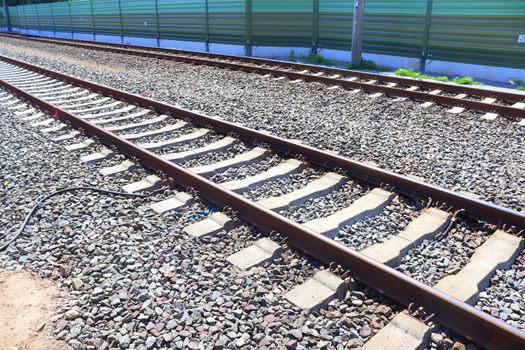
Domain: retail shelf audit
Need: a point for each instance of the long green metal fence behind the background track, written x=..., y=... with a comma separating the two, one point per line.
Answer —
x=469, y=31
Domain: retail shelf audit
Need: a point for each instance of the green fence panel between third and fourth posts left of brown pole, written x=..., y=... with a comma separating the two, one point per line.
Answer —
x=182, y=19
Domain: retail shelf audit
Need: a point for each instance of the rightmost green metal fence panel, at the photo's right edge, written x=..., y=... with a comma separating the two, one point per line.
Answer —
x=478, y=31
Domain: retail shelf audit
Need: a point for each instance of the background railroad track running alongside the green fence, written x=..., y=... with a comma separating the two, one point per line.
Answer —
x=491, y=102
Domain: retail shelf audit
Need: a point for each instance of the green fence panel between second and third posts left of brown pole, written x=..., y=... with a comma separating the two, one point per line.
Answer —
x=227, y=21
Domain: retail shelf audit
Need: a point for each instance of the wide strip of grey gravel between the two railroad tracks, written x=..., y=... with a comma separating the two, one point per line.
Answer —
x=459, y=152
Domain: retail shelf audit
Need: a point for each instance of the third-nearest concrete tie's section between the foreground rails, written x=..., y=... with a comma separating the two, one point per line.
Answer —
x=368, y=205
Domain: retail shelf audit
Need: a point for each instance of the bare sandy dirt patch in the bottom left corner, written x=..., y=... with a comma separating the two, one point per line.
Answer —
x=27, y=303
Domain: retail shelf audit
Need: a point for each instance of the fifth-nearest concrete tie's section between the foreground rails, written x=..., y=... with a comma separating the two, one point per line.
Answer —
x=287, y=168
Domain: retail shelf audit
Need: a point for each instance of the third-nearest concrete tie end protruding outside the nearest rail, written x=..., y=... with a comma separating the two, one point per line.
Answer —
x=261, y=251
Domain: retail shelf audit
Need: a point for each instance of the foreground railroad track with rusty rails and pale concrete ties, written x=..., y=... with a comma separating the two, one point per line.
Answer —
x=166, y=139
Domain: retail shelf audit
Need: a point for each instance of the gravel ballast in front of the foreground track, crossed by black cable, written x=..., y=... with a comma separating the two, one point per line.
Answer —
x=130, y=278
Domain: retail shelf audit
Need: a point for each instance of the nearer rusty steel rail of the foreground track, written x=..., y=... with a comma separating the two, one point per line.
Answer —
x=483, y=329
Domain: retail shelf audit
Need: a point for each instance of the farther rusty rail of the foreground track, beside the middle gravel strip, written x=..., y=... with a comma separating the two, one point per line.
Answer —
x=473, y=207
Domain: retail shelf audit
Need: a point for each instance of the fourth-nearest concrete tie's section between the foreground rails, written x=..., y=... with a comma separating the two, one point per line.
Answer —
x=317, y=188
